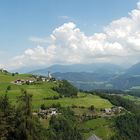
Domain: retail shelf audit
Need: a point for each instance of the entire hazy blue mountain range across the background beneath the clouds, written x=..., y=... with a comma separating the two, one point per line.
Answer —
x=96, y=76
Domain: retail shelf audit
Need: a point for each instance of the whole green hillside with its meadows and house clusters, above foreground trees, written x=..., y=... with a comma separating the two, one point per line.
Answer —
x=95, y=112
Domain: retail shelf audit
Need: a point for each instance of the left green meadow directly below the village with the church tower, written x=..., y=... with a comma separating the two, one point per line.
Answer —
x=39, y=92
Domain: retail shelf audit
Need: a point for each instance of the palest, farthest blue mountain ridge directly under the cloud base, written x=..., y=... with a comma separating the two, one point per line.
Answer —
x=90, y=68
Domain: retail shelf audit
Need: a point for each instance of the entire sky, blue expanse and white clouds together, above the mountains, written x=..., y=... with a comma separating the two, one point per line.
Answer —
x=40, y=33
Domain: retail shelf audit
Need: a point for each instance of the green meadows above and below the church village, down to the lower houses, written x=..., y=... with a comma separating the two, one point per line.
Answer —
x=44, y=90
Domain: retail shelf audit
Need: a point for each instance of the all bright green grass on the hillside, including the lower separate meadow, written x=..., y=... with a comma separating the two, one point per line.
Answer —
x=43, y=90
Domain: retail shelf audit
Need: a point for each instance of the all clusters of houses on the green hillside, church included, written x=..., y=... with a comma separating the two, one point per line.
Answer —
x=48, y=112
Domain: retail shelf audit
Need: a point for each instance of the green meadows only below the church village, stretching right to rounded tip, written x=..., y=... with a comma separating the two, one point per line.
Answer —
x=44, y=91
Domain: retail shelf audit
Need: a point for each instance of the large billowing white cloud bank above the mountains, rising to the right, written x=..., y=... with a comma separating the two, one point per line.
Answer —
x=119, y=42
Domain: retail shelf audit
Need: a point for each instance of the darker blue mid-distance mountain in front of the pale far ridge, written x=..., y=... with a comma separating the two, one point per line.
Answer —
x=86, y=80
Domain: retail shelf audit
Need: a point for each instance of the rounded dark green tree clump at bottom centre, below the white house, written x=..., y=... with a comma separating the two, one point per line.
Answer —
x=62, y=129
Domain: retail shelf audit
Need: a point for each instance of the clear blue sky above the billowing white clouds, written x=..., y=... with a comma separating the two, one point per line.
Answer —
x=22, y=19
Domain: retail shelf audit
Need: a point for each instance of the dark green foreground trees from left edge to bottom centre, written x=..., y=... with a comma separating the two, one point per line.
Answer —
x=18, y=122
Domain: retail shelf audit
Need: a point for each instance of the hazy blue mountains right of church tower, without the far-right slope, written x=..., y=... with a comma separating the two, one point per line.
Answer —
x=84, y=76
